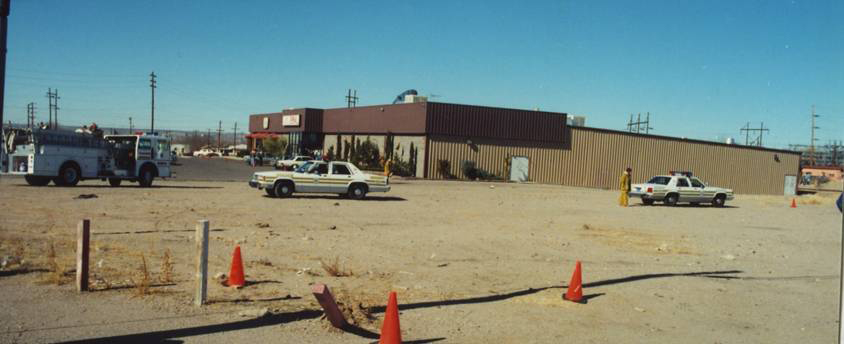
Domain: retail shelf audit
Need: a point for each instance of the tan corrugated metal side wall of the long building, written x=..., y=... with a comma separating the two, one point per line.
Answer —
x=596, y=158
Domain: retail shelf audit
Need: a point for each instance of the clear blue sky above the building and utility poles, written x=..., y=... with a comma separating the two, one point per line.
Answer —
x=701, y=68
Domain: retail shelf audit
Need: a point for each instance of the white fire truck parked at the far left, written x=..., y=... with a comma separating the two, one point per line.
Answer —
x=68, y=157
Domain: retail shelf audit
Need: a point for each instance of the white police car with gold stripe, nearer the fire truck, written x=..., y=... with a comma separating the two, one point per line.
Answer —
x=316, y=176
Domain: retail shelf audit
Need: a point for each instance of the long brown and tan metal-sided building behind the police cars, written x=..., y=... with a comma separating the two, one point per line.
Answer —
x=553, y=152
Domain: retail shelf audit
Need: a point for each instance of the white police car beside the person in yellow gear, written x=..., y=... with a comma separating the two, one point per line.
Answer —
x=680, y=187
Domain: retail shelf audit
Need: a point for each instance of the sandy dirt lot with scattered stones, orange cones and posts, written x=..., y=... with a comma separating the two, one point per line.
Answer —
x=472, y=263
